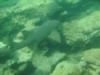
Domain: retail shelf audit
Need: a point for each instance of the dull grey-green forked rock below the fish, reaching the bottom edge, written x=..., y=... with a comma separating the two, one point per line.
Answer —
x=46, y=62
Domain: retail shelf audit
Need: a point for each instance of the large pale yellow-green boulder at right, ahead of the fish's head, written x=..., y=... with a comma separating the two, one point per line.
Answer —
x=82, y=30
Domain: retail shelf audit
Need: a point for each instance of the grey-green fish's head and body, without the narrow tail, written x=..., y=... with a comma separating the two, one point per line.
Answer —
x=39, y=33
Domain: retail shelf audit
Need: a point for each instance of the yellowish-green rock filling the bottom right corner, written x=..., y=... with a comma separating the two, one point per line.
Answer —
x=91, y=57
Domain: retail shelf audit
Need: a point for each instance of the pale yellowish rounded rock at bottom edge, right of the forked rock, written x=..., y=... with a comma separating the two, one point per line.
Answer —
x=67, y=68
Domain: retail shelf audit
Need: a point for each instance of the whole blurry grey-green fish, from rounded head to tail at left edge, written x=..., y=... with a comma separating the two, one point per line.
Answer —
x=34, y=37
